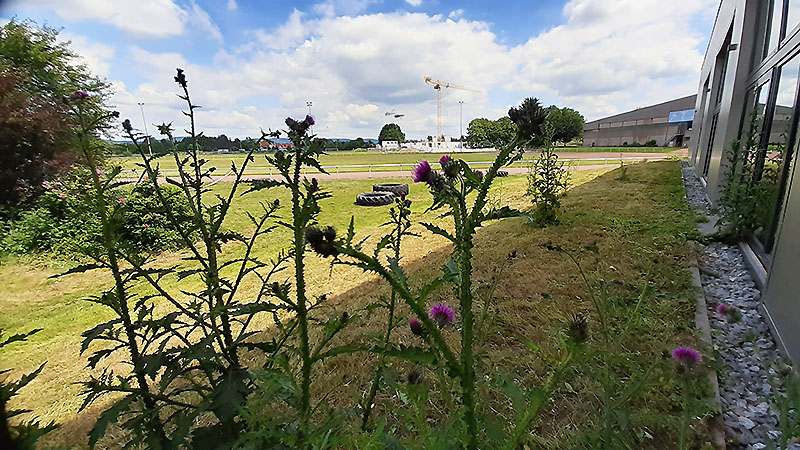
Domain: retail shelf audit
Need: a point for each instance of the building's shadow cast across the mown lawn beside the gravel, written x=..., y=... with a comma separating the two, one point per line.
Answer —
x=640, y=225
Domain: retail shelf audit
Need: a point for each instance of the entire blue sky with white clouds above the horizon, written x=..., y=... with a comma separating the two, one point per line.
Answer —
x=251, y=63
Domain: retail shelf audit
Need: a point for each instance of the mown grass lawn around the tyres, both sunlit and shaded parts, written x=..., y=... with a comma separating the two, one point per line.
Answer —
x=640, y=225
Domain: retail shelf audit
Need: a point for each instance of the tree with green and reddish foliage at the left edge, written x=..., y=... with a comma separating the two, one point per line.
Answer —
x=37, y=72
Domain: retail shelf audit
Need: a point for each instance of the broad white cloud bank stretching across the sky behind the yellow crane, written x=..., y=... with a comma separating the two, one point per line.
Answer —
x=356, y=68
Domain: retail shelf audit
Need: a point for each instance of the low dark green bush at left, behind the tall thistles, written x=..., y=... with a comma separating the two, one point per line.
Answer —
x=60, y=221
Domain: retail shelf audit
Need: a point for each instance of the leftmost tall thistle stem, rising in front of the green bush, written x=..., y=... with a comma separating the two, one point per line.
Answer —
x=126, y=330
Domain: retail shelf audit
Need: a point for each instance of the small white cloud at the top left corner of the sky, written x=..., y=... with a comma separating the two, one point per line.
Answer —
x=143, y=18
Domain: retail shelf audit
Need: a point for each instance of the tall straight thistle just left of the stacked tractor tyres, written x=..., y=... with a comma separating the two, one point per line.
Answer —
x=291, y=366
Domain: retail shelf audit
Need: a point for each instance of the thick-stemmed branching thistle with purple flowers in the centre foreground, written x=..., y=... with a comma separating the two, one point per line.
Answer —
x=461, y=194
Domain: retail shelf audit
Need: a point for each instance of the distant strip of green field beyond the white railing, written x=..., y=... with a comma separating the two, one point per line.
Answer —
x=354, y=158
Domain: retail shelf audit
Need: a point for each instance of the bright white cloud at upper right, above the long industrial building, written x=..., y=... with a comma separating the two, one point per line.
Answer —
x=602, y=64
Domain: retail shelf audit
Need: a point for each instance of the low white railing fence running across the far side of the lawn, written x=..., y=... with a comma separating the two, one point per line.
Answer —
x=401, y=167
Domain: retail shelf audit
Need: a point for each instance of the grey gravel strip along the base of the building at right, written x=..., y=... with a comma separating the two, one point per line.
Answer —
x=743, y=349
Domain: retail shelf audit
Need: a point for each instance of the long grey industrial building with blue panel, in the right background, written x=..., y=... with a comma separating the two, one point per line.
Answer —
x=668, y=124
